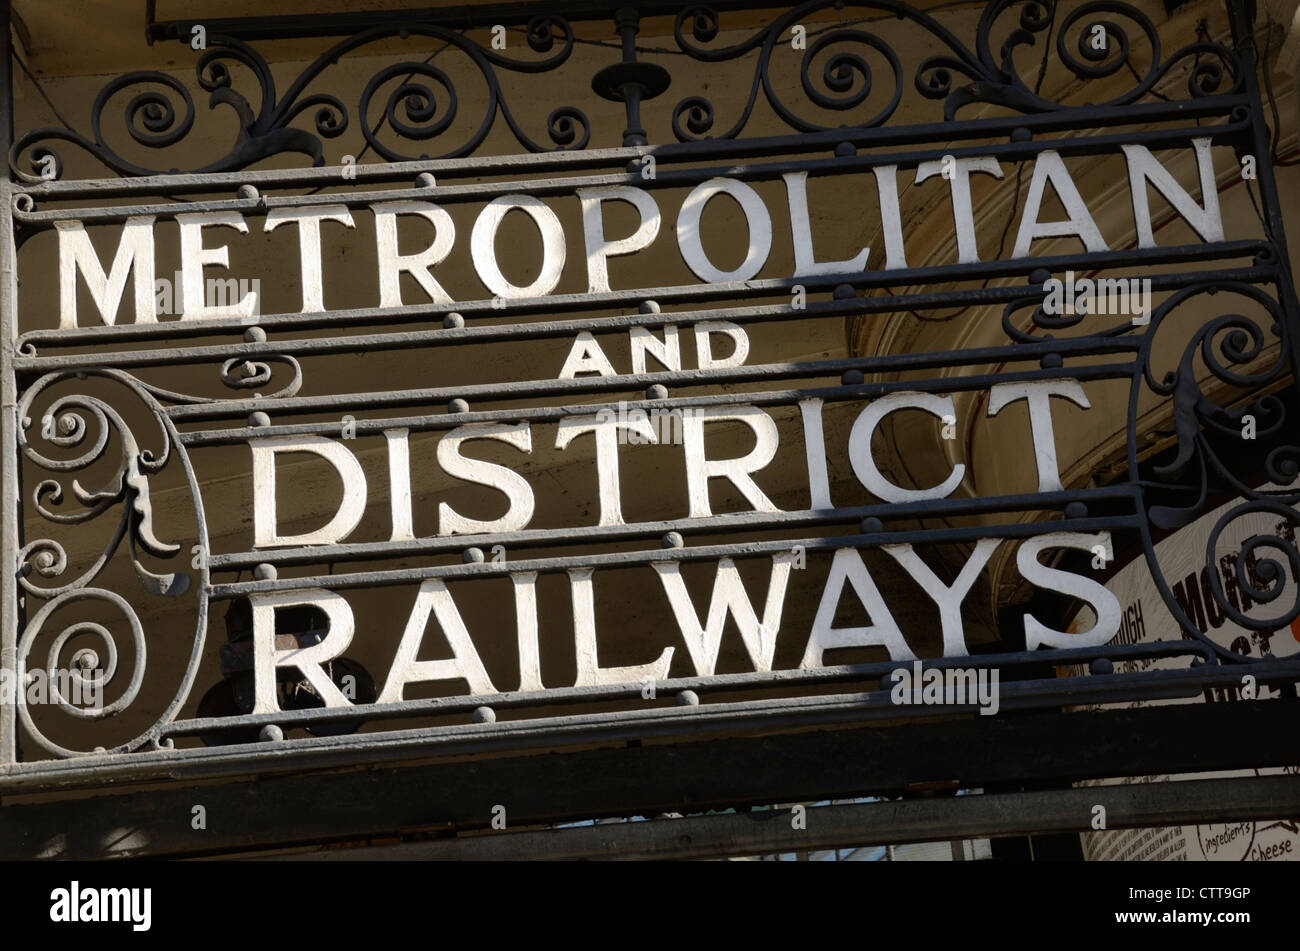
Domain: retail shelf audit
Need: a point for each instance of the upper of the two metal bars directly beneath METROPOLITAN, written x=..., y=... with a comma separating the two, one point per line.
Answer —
x=900, y=277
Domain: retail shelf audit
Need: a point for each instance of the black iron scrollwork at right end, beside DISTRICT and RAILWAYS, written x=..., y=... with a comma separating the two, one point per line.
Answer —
x=1246, y=358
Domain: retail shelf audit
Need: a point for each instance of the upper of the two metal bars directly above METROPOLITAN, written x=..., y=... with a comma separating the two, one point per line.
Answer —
x=1063, y=121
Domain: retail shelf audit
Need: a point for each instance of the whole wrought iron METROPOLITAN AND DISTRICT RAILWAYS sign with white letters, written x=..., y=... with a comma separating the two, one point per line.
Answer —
x=158, y=419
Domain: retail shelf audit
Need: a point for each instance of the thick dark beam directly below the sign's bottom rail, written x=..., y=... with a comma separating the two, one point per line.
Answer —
x=426, y=785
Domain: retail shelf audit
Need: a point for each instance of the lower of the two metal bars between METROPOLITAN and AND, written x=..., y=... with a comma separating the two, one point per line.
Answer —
x=402, y=340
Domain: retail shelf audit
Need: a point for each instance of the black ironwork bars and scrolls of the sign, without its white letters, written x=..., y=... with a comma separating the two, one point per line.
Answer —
x=68, y=422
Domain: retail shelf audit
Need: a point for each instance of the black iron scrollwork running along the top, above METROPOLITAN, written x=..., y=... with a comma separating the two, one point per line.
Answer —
x=424, y=105
